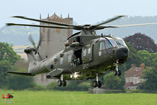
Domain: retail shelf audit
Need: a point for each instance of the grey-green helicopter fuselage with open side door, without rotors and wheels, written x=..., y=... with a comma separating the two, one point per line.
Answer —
x=82, y=54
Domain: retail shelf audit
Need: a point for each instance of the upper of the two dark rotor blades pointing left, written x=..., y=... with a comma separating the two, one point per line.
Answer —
x=43, y=21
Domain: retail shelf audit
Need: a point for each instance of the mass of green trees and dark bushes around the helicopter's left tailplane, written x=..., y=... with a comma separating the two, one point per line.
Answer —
x=8, y=58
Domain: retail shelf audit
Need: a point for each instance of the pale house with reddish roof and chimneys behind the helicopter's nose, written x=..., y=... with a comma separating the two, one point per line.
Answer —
x=133, y=77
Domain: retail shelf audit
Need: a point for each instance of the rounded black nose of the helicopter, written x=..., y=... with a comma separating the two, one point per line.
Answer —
x=122, y=53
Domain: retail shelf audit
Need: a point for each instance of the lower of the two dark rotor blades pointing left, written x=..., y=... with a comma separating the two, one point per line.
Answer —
x=14, y=24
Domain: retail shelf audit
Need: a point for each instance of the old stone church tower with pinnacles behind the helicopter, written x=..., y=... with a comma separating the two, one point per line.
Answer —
x=52, y=41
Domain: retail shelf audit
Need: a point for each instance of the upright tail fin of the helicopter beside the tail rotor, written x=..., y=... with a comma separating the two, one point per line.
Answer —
x=30, y=54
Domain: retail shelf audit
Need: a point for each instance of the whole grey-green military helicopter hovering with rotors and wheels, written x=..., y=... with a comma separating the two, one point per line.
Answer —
x=84, y=55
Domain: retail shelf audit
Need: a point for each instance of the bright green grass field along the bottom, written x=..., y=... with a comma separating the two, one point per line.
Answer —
x=78, y=98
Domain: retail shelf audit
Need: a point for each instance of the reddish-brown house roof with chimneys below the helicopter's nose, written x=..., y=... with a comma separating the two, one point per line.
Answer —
x=135, y=71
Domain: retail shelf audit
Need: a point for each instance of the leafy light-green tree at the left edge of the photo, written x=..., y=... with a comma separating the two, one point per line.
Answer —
x=7, y=59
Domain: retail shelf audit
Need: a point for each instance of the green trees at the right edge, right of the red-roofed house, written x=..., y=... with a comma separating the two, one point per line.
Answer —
x=150, y=75
